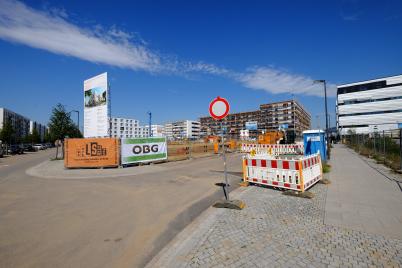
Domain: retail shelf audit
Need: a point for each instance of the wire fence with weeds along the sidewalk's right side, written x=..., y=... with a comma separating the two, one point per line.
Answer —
x=383, y=146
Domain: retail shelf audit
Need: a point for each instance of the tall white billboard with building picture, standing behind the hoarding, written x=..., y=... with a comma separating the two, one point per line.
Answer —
x=96, y=116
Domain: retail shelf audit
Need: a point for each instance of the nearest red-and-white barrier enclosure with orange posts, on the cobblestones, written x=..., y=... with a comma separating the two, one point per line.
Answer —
x=299, y=174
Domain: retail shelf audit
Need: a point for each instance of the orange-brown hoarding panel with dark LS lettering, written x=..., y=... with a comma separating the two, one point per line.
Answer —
x=94, y=152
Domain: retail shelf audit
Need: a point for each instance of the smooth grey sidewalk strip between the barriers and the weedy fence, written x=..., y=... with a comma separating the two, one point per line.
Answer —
x=363, y=195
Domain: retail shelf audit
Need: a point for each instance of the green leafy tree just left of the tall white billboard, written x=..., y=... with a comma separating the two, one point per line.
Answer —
x=61, y=126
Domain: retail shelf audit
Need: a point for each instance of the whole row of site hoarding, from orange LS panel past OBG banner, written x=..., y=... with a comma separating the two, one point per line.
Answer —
x=112, y=152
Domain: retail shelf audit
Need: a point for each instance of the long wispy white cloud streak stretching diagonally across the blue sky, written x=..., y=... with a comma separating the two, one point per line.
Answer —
x=50, y=30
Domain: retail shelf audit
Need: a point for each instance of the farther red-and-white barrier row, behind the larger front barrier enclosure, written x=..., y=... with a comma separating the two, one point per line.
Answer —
x=274, y=149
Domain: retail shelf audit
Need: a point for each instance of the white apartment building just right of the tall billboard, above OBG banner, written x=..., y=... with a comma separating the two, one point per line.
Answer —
x=128, y=128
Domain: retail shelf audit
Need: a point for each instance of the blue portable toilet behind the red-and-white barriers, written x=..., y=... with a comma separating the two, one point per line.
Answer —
x=314, y=142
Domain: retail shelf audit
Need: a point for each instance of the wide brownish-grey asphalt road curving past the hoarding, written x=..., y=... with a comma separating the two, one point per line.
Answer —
x=101, y=222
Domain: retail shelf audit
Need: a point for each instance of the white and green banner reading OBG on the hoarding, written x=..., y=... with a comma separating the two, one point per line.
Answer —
x=137, y=150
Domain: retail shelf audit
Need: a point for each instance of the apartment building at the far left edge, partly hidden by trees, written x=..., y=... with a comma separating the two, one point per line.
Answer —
x=19, y=123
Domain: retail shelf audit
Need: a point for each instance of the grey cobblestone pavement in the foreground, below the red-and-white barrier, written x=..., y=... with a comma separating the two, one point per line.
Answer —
x=275, y=230
